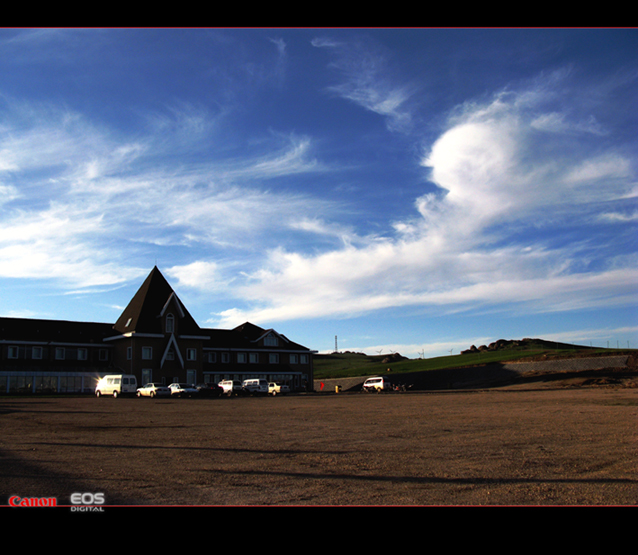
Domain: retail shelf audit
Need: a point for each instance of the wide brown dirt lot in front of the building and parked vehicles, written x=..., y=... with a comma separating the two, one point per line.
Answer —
x=529, y=444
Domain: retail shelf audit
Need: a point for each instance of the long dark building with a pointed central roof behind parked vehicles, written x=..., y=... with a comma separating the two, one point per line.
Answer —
x=155, y=338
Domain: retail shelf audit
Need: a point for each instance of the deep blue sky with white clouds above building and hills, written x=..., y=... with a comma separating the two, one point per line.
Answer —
x=375, y=190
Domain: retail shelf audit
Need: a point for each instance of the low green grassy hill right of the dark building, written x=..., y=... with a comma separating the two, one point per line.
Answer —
x=343, y=365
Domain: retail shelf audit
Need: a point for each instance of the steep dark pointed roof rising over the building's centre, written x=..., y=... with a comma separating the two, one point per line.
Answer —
x=142, y=315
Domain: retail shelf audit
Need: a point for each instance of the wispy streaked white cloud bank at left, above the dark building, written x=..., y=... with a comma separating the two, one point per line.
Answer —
x=78, y=197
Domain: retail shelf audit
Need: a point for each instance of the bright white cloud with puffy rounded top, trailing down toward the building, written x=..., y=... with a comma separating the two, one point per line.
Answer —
x=491, y=165
